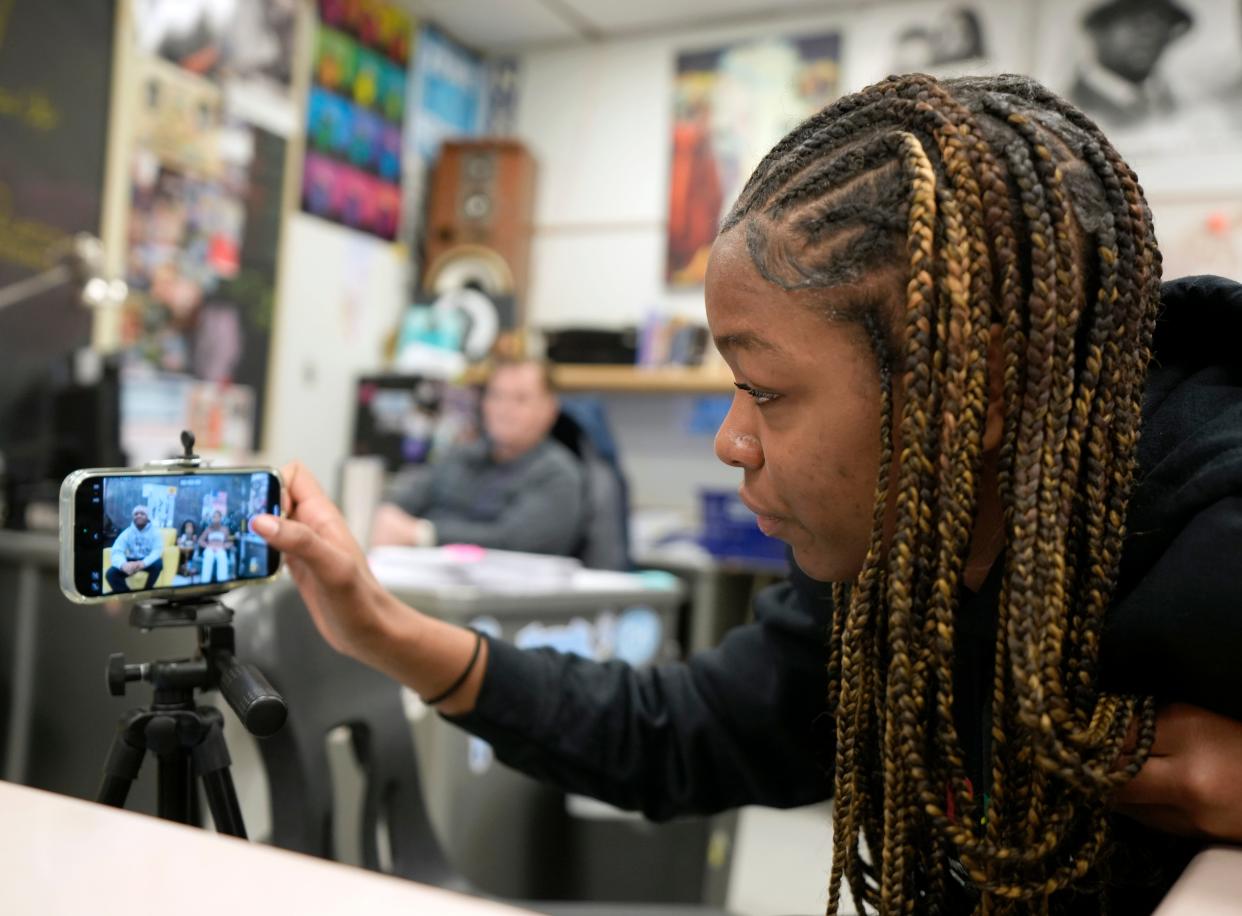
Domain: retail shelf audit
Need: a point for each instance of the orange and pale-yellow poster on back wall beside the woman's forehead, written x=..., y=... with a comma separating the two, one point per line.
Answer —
x=731, y=105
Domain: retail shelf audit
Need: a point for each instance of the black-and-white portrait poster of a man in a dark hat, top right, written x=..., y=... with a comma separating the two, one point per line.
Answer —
x=1156, y=75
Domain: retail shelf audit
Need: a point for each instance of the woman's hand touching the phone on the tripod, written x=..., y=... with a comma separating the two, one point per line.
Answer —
x=348, y=605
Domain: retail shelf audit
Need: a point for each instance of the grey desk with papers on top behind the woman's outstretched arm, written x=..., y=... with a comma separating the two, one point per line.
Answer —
x=506, y=833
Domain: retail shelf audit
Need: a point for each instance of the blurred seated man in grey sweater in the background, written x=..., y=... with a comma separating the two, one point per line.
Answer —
x=515, y=490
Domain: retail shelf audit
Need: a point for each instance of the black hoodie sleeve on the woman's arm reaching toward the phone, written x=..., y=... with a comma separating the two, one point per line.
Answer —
x=740, y=724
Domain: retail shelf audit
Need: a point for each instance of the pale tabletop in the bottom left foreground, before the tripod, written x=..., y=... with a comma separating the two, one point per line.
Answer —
x=63, y=856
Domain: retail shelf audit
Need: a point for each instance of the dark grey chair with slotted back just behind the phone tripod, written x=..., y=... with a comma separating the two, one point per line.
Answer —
x=326, y=691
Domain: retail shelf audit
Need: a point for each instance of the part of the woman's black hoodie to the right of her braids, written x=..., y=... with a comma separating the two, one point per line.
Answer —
x=1176, y=630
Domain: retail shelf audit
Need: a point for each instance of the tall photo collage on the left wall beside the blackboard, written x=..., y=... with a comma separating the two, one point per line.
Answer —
x=207, y=179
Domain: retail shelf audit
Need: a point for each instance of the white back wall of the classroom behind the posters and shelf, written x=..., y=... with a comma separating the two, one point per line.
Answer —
x=598, y=119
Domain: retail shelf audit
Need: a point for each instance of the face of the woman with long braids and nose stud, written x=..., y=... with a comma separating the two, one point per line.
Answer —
x=809, y=442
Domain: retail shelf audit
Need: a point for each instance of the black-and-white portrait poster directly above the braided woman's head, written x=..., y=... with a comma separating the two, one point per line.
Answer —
x=942, y=38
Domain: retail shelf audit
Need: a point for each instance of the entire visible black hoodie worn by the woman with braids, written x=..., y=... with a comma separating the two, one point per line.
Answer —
x=745, y=723
